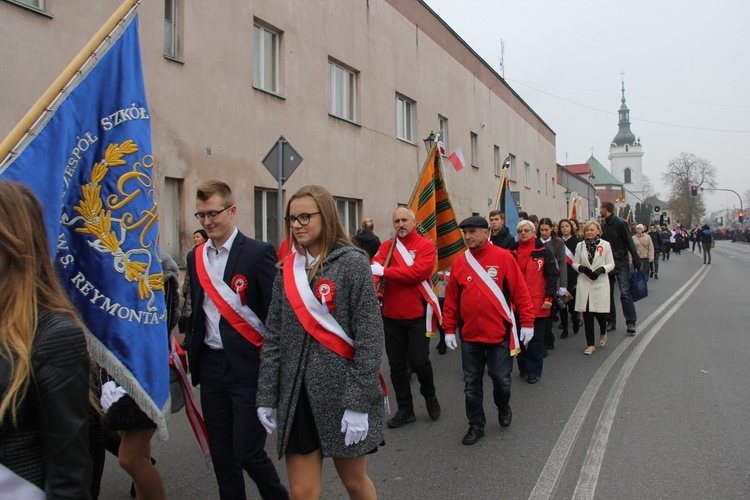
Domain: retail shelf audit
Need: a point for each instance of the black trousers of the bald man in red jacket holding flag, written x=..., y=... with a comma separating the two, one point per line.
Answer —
x=406, y=344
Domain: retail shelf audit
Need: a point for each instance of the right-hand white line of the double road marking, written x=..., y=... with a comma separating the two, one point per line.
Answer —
x=589, y=475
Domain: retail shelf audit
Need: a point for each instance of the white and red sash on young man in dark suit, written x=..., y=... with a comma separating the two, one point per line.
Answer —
x=228, y=302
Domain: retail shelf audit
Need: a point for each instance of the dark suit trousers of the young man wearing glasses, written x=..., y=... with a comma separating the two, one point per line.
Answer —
x=236, y=435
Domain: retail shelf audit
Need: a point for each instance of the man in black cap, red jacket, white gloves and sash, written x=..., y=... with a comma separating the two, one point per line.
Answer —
x=486, y=287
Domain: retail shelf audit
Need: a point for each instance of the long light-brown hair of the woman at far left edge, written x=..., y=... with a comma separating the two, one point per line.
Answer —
x=30, y=285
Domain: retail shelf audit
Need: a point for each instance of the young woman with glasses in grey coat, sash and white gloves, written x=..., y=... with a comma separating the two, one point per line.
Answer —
x=328, y=404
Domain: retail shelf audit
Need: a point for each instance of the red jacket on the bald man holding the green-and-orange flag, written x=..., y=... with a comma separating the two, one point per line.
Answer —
x=402, y=298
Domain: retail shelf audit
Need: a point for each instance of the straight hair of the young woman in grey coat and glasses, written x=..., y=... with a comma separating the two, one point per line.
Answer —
x=332, y=230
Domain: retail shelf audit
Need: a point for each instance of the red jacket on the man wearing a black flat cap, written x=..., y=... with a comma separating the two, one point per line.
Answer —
x=465, y=300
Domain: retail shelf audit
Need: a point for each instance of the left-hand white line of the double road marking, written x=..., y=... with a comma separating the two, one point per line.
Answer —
x=550, y=475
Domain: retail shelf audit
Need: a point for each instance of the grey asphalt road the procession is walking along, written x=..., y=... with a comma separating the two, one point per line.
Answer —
x=663, y=414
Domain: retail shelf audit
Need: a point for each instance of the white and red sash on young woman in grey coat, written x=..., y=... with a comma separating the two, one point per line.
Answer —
x=312, y=315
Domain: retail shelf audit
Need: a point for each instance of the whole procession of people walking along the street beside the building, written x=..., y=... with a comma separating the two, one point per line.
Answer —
x=290, y=340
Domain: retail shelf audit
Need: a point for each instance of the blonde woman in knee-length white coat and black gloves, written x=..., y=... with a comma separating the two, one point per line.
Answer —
x=593, y=259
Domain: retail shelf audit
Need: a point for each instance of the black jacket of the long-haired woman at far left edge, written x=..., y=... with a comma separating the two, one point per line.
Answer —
x=49, y=446
